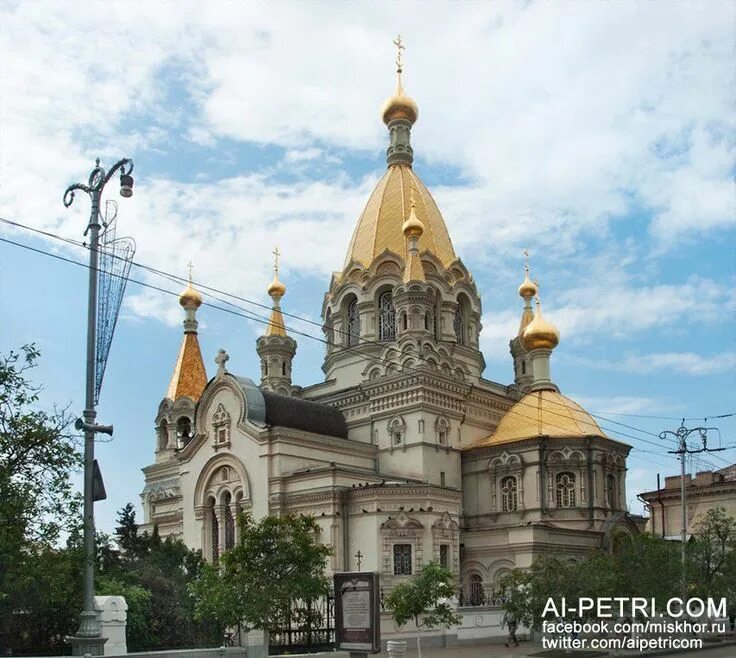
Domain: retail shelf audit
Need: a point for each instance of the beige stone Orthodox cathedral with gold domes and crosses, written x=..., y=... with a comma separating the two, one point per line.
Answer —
x=403, y=453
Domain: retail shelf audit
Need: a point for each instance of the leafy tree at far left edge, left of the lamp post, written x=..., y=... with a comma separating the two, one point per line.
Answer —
x=38, y=454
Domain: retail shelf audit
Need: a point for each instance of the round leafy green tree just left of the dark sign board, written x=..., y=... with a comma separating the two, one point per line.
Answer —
x=277, y=563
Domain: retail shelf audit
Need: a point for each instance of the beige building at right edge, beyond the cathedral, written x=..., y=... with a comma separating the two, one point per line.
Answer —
x=706, y=491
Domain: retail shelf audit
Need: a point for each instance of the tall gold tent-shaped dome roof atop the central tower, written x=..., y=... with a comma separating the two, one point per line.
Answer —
x=380, y=225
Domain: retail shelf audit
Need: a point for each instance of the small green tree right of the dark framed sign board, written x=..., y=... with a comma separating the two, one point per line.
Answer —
x=425, y=599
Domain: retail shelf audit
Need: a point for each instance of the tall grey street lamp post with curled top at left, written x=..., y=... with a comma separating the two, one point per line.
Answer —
x=88, y=640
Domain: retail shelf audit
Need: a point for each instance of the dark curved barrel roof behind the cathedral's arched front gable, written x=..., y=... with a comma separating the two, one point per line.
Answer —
x=266, y=408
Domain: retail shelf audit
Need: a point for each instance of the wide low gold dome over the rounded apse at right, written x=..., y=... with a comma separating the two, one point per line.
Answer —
x=543, y=413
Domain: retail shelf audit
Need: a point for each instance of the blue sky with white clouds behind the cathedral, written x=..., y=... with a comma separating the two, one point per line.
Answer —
x=597, y=135
